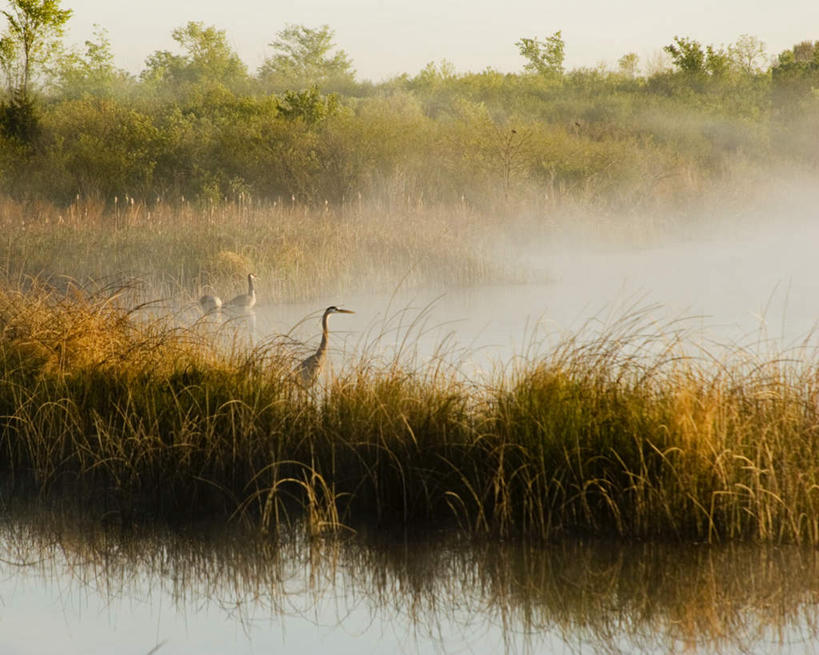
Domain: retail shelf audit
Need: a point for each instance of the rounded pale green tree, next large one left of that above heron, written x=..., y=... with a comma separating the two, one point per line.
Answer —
x=206, y=58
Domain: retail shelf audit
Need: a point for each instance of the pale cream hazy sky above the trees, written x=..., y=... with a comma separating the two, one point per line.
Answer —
x=389, y=37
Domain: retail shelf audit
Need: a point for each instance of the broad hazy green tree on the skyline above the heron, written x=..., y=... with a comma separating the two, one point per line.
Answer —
x=306, y=57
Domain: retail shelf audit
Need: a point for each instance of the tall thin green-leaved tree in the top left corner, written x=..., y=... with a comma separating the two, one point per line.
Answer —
x=31, y=40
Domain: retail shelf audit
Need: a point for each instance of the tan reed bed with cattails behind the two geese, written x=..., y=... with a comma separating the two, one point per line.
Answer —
x=298, y=251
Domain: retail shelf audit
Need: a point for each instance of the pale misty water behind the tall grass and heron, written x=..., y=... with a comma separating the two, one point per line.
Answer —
x=749, y=284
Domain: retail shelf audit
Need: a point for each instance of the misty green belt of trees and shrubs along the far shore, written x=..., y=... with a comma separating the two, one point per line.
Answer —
x=197, y=124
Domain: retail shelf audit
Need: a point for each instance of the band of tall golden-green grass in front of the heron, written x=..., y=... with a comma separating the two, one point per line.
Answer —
x=606, y=435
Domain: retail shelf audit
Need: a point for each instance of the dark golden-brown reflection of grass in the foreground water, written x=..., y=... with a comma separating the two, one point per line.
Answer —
x=603, y=595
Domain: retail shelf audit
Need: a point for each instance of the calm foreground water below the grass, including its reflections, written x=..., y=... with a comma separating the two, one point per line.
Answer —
x=71, y=586
